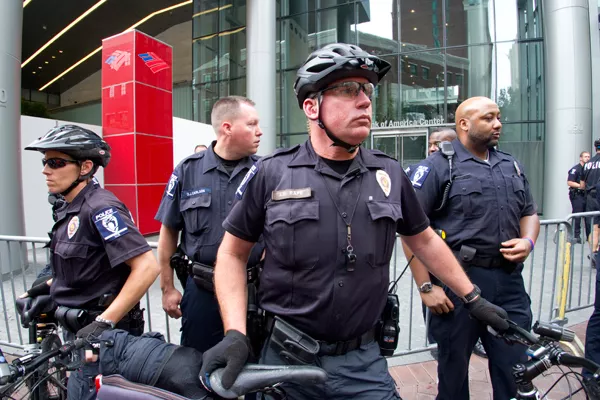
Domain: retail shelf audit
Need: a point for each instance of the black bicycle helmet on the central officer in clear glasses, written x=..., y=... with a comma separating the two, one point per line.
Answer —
x=333, y=62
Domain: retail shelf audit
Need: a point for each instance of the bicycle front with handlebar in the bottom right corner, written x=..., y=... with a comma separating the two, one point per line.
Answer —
x=544, y=351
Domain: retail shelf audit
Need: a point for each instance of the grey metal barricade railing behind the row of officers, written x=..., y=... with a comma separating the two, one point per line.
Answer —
x=558, y=278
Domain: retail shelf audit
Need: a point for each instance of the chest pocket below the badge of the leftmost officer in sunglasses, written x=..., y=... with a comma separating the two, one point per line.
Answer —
x=70, y=263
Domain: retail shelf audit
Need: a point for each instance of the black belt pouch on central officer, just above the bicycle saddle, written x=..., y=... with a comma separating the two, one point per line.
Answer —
x=292, y=345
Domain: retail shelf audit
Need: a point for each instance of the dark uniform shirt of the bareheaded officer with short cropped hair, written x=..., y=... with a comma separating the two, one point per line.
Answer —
x=197, y=199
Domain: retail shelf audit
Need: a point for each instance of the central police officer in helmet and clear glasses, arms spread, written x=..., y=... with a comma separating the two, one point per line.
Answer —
x=329, y=211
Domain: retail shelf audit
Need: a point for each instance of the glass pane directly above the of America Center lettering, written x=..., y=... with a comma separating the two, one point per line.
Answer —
x=422, y=98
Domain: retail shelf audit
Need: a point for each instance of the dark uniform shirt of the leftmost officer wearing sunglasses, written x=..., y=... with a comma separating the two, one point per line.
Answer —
x=93, y=237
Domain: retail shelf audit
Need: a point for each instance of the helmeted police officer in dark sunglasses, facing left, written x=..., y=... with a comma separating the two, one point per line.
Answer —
x=101, y=263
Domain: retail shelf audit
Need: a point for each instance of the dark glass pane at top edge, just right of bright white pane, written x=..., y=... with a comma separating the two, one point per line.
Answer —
x=421, y=24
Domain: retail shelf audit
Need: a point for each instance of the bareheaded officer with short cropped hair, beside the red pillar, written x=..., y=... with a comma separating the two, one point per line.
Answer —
x=197, y=199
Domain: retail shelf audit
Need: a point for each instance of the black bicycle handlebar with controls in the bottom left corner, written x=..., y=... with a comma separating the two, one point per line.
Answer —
x=34, y=369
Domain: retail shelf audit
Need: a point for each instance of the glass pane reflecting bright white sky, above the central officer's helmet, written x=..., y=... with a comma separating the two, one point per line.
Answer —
x=377, y=29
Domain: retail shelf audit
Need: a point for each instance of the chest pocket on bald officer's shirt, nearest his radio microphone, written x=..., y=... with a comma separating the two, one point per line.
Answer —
x=466, y=198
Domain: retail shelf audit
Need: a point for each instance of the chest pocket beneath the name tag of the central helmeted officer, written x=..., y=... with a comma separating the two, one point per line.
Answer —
x=293, y=229
